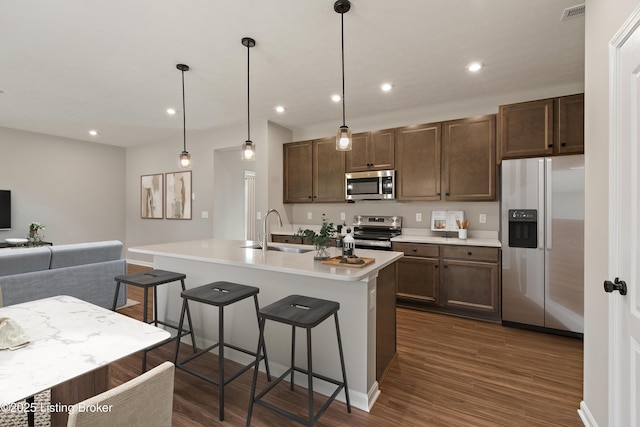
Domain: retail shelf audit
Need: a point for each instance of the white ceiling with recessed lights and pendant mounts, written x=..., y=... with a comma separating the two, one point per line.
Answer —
x=73, y=65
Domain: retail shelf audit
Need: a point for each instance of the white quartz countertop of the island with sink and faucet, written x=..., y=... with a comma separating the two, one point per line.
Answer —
x=236, y=252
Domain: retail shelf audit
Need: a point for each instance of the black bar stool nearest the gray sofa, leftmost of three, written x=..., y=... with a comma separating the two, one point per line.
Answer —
x=152, y=279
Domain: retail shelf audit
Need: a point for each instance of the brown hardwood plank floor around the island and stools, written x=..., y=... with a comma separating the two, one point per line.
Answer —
x=449, y=372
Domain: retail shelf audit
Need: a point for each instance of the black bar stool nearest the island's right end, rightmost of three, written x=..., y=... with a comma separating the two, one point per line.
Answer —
x=303, y=312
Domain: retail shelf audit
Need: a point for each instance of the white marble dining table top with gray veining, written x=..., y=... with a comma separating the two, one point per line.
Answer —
x=68, y=337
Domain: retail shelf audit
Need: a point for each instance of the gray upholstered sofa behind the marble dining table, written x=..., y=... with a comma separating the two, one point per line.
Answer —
x=83, y=270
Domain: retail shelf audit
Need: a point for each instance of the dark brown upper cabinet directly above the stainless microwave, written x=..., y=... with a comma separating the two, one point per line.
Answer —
x=372, y=151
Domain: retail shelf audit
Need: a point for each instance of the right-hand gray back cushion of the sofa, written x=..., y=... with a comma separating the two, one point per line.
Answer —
x=85, y=253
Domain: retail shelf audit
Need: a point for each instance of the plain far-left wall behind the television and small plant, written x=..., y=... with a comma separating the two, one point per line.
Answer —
x=76, y=189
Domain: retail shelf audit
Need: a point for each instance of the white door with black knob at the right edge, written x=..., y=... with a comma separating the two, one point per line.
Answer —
x=624, y=233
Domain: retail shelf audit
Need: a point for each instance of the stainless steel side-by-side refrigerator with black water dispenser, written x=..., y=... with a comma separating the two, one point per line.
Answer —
x=542, y=235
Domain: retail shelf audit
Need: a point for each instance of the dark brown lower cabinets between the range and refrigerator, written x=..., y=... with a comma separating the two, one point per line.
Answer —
x=458, y=280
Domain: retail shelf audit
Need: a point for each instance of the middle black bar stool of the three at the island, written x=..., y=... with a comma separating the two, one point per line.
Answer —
x=219, y=294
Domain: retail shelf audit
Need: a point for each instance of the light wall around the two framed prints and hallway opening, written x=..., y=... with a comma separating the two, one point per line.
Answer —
x=162, y=157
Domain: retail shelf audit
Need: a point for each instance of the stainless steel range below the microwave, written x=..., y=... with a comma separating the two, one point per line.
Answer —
x=376, y=232
